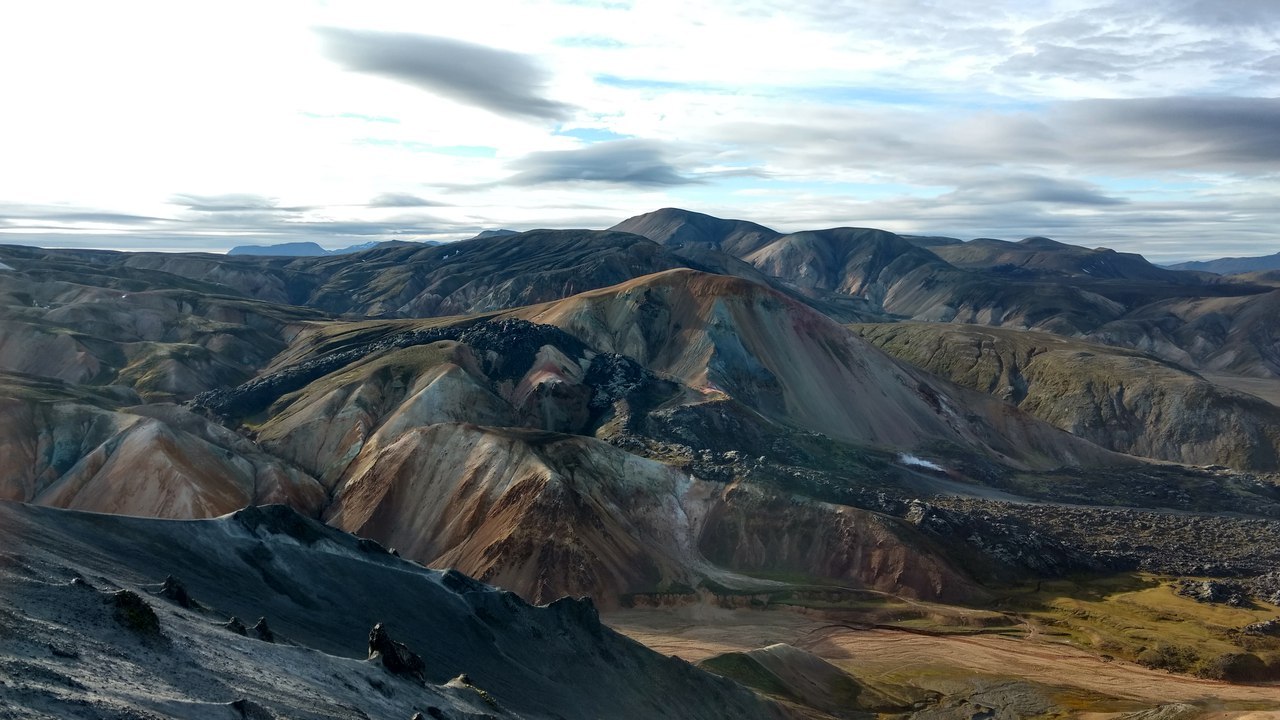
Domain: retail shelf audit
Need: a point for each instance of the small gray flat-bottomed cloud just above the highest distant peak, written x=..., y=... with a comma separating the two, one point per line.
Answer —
x=621, y=162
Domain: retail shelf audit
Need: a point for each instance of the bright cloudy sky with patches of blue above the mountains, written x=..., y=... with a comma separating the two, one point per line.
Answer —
x=1150, y=127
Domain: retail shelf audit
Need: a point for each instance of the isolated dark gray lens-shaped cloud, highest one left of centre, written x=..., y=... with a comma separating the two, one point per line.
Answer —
x=500, y=81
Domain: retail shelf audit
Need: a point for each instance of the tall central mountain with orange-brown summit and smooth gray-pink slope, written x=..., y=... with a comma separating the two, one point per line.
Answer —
x=728, y=338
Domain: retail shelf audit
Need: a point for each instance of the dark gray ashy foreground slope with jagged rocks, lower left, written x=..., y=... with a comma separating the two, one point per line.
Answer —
x=94, y=628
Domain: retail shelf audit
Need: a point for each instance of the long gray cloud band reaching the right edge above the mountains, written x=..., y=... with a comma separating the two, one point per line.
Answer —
x=1233, y=135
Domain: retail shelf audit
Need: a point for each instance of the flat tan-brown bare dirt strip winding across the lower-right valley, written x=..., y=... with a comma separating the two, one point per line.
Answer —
x=893, y=655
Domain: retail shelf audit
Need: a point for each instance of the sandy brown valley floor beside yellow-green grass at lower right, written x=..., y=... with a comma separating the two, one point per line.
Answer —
x=1077, y=682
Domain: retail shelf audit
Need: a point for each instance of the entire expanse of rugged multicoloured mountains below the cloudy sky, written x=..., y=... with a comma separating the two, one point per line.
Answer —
x=679, y=417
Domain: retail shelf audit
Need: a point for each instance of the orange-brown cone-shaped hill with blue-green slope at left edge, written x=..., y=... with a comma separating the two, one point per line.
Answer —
x=66, y=446
